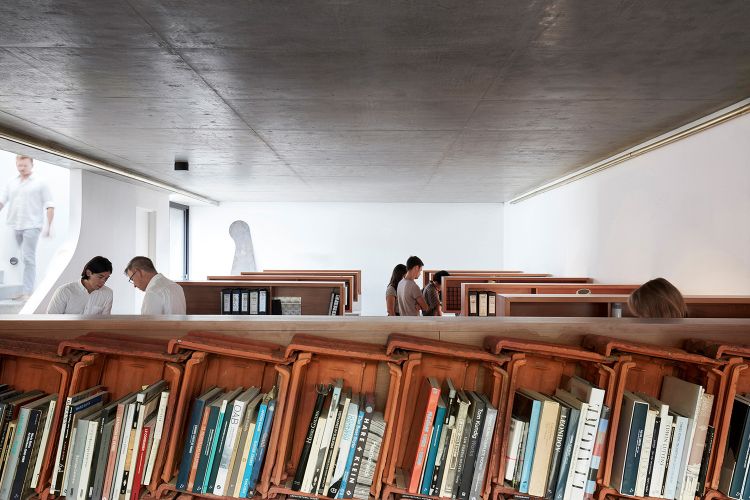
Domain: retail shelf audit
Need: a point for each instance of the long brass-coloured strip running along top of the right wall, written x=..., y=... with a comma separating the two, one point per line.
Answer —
x=700, y=125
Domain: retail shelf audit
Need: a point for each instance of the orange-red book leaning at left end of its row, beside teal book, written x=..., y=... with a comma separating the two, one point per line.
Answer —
x=419, y=438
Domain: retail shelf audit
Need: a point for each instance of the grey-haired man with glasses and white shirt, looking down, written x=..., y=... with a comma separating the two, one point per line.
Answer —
x=163, y=296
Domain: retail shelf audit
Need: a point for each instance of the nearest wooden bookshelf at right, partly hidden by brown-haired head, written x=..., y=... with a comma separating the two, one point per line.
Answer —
x=699, y=306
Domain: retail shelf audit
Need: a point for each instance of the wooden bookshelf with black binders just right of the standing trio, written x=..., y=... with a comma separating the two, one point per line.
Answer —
x=538, y=288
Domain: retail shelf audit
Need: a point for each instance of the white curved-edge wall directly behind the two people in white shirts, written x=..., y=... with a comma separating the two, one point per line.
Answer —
x=108, y=227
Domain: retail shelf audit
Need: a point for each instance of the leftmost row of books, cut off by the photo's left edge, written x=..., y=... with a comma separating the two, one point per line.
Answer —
x=25, y=423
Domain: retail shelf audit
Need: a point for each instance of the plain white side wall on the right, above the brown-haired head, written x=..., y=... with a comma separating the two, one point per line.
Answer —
x=680, y=212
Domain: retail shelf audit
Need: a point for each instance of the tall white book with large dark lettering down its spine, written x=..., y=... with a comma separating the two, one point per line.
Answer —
x=588, y=393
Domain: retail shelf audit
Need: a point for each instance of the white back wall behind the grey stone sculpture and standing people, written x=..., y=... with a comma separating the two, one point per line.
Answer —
x=373, y=237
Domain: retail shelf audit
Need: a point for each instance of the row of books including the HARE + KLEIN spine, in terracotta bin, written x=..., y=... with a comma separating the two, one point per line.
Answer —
x=342, y=444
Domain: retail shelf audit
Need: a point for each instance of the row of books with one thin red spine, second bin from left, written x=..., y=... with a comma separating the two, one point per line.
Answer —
x=109, y=450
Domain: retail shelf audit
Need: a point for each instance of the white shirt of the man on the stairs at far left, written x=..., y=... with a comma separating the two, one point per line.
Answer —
x=26, y=202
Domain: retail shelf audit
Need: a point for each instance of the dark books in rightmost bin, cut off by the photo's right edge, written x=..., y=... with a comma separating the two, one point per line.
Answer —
x=734, y=480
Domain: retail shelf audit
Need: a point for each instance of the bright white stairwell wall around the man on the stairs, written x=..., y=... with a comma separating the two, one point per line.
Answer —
x=58, y=180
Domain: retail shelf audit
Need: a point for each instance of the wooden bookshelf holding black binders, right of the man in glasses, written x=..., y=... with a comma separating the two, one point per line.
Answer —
x=204, y=297
